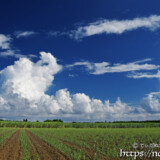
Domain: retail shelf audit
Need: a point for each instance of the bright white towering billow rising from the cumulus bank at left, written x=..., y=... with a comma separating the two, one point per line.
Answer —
x=30, y=80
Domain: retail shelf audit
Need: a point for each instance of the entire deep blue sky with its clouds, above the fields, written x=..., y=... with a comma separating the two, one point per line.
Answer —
x=106, y=49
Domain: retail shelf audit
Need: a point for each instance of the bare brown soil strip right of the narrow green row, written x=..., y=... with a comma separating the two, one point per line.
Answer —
x=42, y=151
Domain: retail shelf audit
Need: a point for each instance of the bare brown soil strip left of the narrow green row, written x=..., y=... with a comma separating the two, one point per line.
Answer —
x=11, y=147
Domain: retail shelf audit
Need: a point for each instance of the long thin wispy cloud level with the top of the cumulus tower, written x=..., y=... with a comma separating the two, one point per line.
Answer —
x=106, y=67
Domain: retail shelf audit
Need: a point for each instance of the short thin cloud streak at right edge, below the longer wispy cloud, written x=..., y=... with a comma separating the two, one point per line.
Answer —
x=144, y=75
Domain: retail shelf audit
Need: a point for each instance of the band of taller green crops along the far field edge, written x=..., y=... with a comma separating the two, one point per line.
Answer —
x=21, y=124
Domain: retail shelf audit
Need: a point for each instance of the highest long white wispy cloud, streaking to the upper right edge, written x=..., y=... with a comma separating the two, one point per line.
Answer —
x=115, y=26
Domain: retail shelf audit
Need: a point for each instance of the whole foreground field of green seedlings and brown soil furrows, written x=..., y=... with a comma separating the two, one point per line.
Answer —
x=79, y=144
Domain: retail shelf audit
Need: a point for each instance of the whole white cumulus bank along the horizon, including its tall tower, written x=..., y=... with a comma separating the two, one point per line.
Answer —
x=23, y=87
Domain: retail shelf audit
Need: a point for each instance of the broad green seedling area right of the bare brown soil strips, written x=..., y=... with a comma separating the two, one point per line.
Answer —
x=98, y=143
